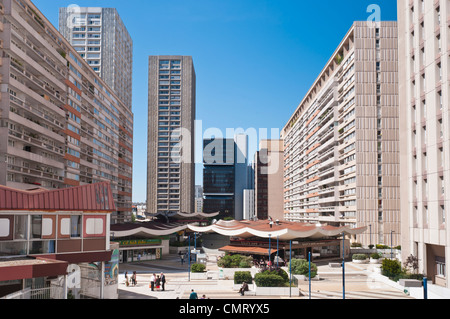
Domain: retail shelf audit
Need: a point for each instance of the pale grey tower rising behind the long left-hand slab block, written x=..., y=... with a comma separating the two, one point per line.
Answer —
x=101, y=38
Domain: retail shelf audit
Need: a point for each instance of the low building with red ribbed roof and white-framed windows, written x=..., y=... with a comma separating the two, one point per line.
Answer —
x=56, y=243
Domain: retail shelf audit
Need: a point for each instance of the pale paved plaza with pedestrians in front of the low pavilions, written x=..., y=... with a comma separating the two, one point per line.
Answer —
x=361, y=282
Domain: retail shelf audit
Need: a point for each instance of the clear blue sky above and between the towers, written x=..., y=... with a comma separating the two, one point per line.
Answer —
x=254, y=59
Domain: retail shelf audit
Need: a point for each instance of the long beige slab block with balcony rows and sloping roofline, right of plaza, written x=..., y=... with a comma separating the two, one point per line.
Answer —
x=341, y=144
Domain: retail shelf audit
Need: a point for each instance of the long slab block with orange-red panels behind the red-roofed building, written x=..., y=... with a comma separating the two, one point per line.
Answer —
x=60, y=123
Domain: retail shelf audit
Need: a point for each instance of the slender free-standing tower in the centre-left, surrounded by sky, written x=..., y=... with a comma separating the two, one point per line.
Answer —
x=171, y=116
